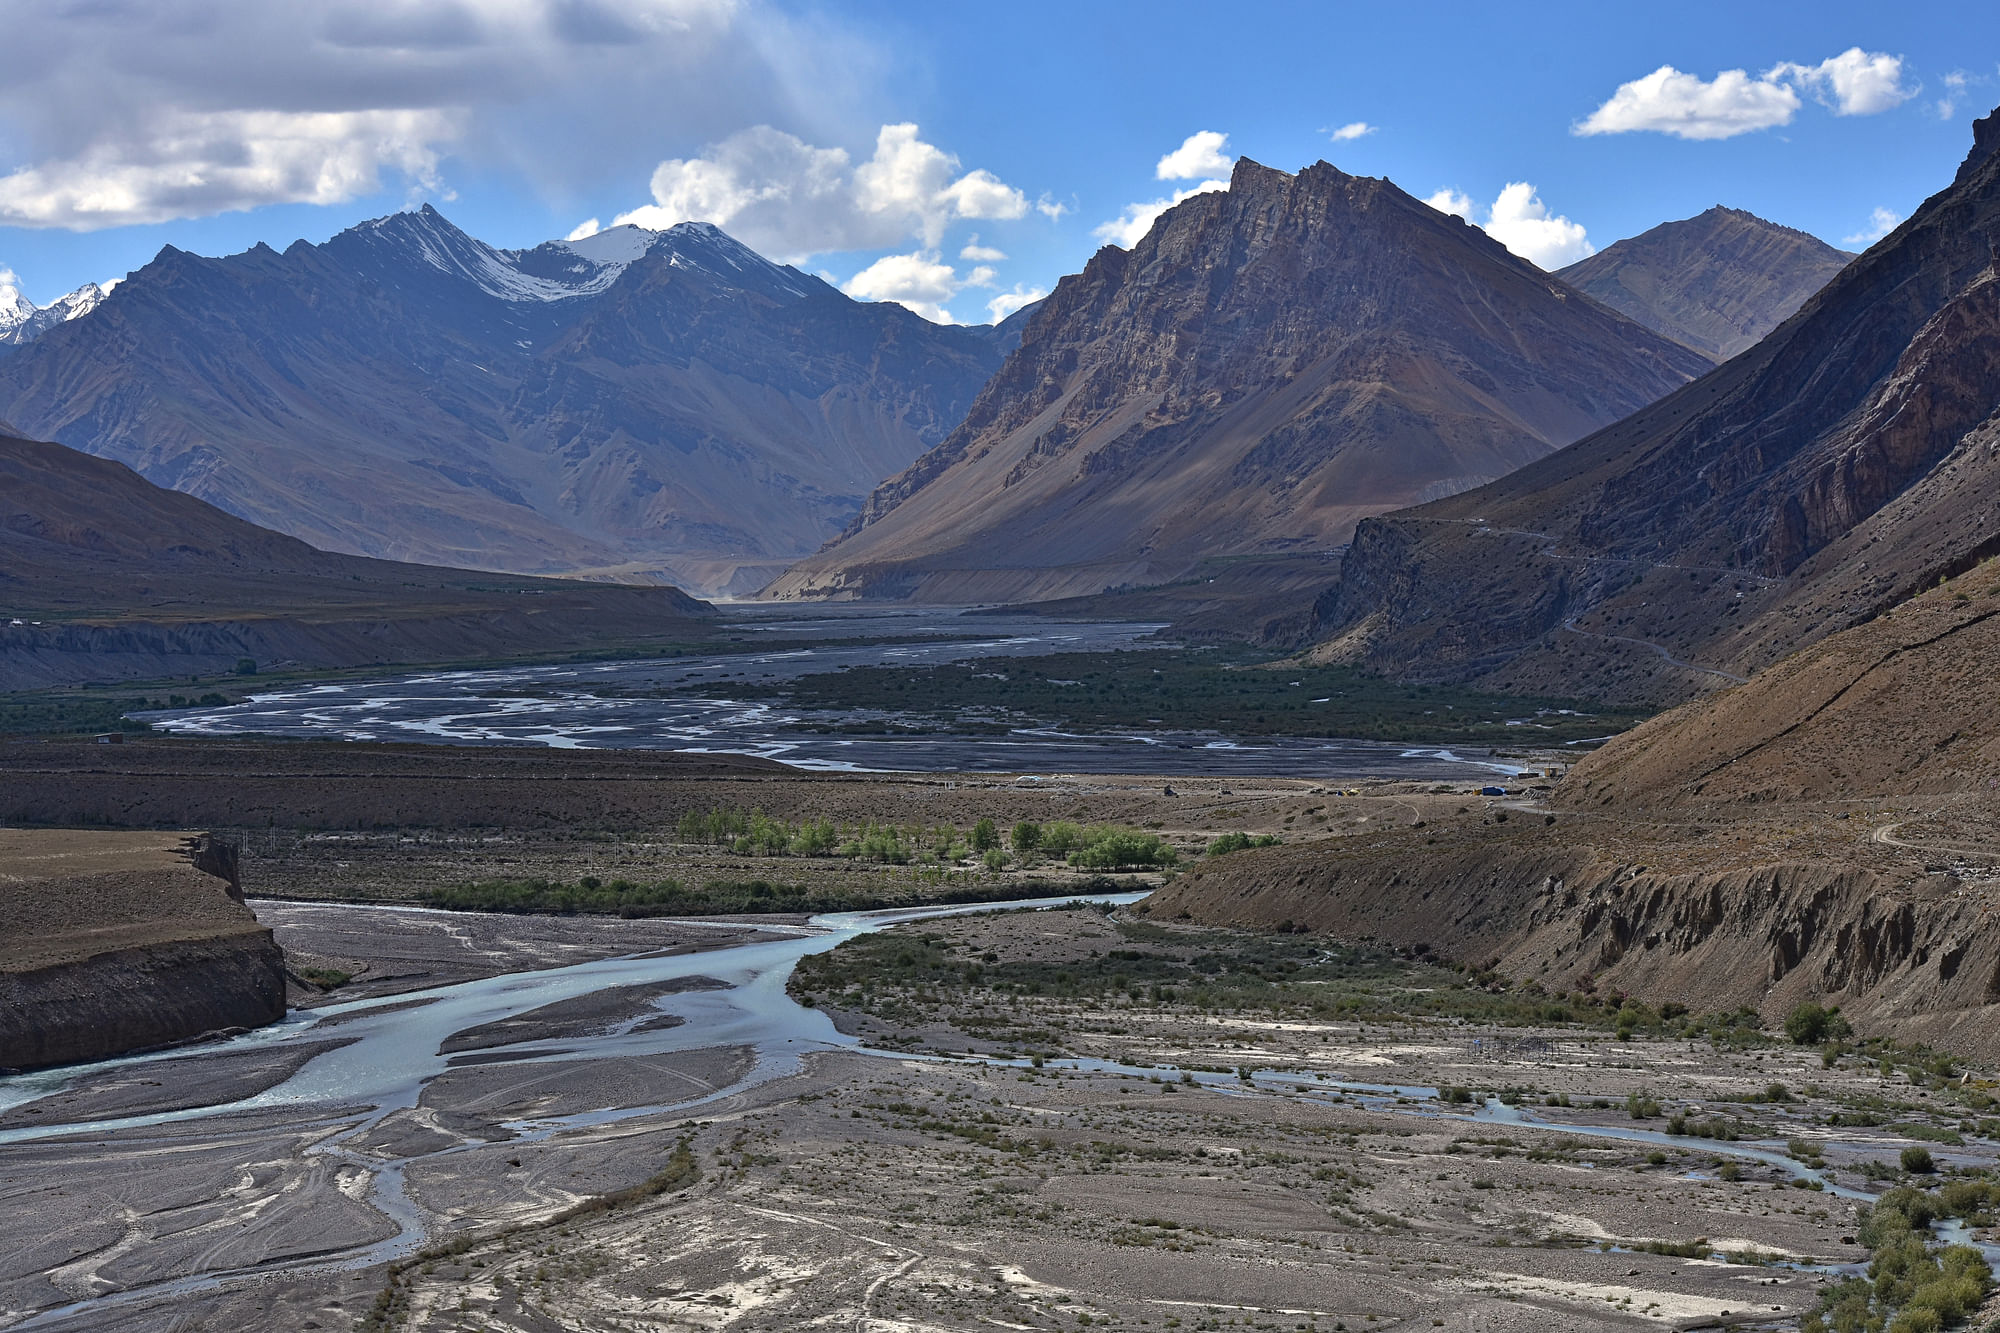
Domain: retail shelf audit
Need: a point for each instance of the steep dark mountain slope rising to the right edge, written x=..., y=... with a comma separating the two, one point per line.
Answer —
x=1829, y=473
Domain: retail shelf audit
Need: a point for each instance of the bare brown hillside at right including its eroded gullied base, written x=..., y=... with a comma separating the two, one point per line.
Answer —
x=1827, y=834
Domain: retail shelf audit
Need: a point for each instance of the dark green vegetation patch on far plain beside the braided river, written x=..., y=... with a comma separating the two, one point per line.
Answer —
x=1237, y=694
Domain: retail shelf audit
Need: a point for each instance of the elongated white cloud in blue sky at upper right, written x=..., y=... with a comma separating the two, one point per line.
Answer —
x=1733, y=103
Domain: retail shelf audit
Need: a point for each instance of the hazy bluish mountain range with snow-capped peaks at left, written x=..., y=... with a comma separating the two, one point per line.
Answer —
x=635, y=405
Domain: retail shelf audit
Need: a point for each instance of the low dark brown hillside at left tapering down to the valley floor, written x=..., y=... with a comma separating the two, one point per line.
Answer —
x=105, y=577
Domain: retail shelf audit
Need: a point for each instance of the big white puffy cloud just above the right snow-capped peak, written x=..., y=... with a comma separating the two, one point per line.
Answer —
x=789, y=199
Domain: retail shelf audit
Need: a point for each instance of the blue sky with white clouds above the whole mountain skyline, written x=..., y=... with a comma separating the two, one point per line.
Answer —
x=213, y=125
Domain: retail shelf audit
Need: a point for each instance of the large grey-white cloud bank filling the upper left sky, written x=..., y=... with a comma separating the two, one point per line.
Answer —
x=121, y=113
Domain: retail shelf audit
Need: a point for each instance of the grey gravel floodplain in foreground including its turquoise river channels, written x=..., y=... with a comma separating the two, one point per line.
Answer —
x=1215, y=1152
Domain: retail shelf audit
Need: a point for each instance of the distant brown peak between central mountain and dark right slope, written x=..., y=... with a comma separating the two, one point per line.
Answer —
x=1717, y=283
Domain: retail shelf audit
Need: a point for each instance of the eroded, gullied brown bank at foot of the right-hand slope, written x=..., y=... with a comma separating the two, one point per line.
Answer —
x=1901, y=952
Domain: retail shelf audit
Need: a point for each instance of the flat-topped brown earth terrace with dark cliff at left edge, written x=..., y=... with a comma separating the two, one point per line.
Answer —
x=115, y=942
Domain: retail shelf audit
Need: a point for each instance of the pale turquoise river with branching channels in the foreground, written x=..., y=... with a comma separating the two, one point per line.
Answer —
x=337, y=1100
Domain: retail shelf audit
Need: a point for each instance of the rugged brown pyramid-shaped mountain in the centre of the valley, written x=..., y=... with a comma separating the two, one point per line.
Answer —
x=1261, y=371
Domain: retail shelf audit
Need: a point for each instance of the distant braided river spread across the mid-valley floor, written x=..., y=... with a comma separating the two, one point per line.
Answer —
x=653, y=706
